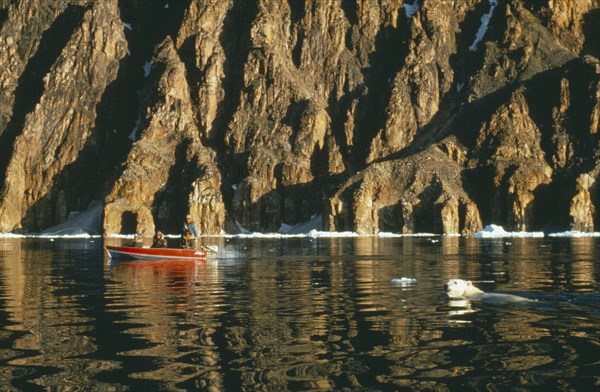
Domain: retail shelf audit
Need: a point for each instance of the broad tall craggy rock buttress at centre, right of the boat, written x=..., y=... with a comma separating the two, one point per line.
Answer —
x=282, y=122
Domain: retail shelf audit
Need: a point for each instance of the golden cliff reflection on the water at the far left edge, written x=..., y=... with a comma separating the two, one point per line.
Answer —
x=45, y=331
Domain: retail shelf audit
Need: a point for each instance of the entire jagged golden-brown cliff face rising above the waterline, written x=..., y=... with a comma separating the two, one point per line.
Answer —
x=382, y=116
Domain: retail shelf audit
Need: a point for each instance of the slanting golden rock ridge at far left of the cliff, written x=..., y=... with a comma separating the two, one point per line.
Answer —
x=60, y=125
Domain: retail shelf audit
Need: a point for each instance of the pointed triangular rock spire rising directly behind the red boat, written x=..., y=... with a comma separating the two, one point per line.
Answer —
x=168, y=147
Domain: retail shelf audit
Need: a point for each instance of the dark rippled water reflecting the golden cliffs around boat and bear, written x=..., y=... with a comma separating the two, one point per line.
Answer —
x=300, y=314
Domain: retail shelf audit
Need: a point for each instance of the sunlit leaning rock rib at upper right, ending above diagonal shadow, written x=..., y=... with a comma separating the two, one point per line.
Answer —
x=426, y=77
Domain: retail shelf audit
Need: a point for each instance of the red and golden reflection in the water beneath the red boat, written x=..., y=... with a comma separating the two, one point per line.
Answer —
x=173, y=308
